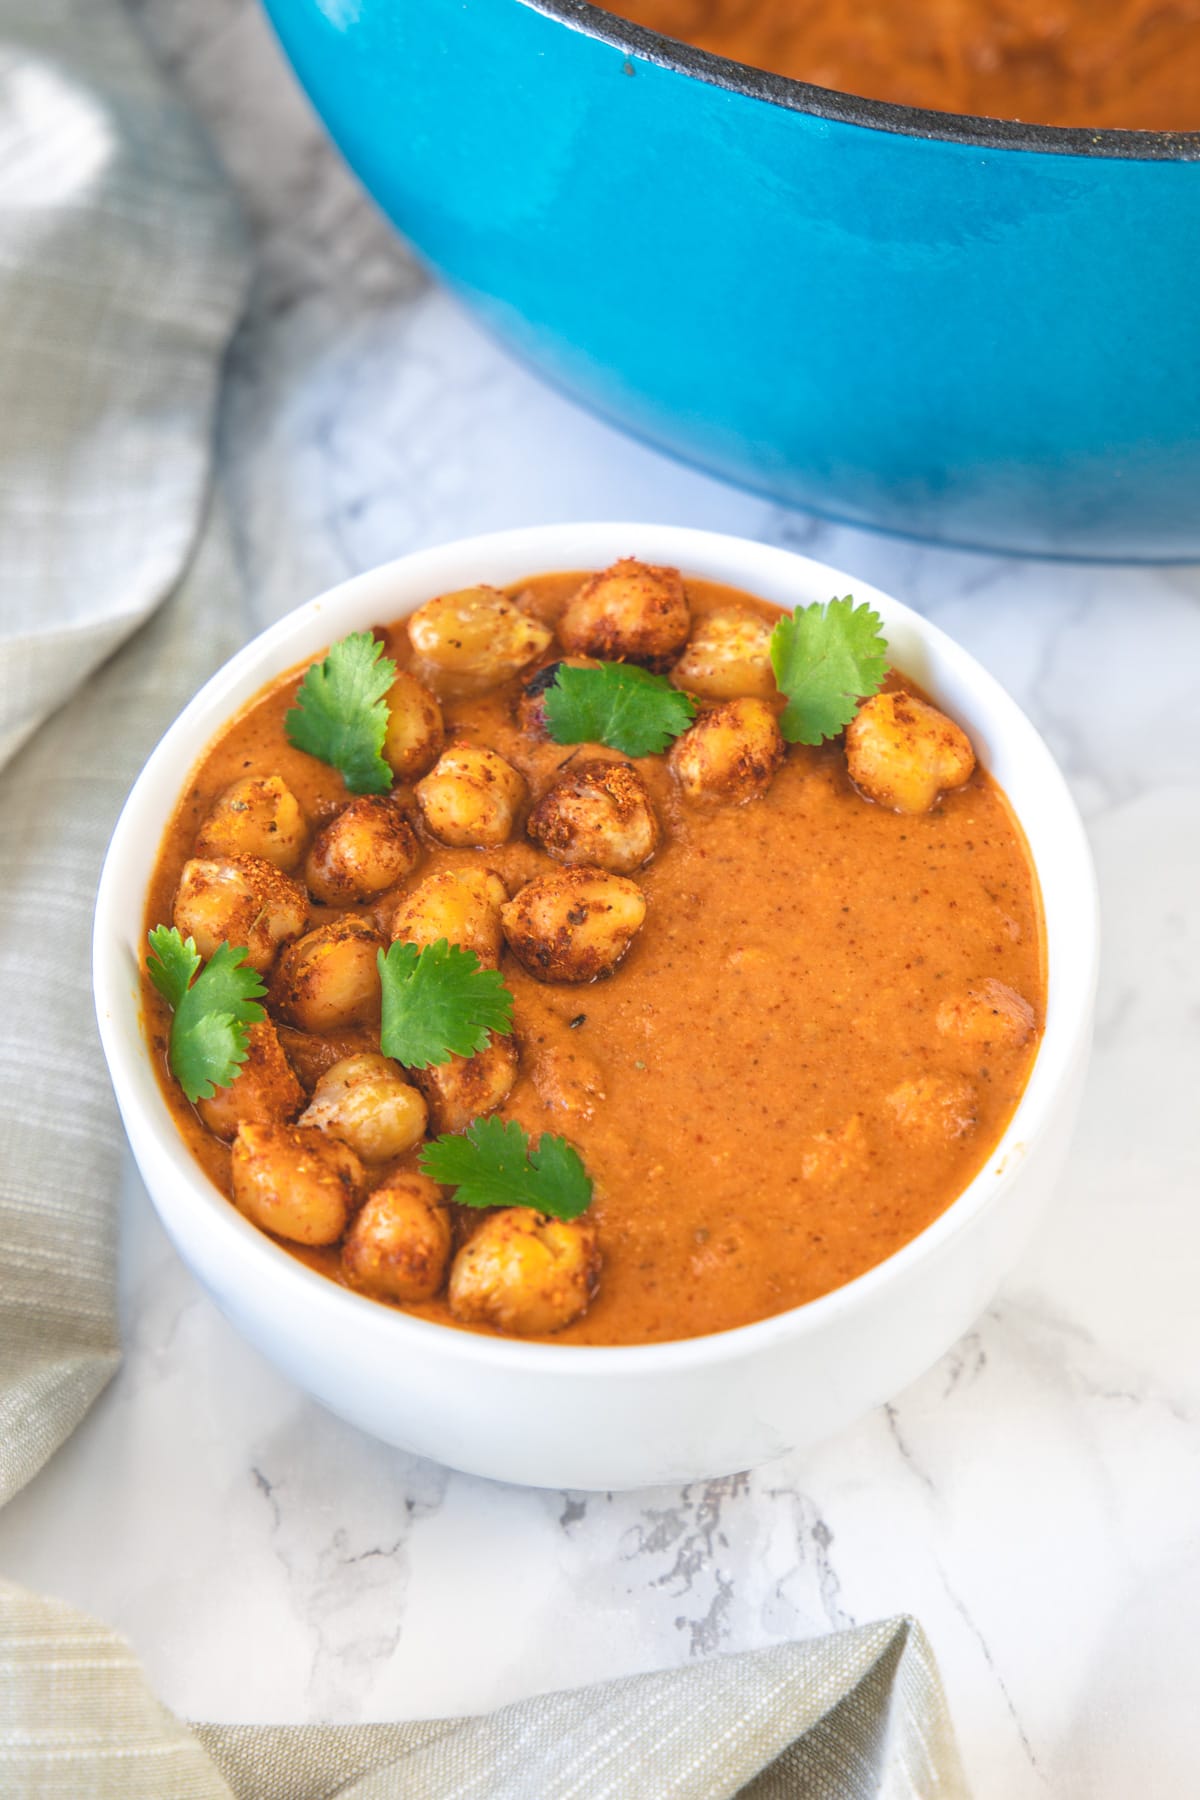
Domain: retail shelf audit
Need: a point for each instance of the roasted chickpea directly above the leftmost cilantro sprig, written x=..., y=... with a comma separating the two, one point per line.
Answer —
x=242, y=901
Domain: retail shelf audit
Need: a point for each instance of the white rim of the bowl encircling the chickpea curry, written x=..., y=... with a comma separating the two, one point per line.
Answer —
x=533, y=550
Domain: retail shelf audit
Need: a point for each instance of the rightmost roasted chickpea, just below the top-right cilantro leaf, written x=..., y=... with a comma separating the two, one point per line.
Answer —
x=904, y=753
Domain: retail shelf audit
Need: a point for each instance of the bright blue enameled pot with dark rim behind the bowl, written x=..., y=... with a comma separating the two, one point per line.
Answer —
x=947, y=327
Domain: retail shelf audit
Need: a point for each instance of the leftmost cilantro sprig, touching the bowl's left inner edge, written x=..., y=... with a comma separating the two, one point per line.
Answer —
x=213, y=1011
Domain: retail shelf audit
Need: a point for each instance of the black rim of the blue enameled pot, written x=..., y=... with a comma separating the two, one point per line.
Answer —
x=852, y=109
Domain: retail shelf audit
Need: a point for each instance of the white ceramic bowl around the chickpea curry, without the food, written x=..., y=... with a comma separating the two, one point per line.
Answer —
x=557, y=1416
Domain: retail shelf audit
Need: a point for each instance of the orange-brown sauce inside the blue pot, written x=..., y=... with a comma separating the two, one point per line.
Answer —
x=1125, y=64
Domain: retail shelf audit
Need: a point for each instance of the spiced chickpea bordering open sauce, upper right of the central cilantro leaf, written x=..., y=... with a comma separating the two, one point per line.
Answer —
x=573, y=926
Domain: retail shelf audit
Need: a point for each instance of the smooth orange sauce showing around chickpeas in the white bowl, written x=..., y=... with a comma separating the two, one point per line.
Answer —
x=787, y=982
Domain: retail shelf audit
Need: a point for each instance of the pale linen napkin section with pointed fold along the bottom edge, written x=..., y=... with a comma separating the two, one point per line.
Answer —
x=855, y=1716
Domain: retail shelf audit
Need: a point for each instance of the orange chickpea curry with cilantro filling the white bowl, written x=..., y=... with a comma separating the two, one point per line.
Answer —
x=614, y=957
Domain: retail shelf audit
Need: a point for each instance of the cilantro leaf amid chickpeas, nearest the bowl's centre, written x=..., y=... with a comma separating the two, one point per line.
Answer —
x=438, y=1003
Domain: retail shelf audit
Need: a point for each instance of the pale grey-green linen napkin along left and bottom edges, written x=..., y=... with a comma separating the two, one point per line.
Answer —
x=121, y=278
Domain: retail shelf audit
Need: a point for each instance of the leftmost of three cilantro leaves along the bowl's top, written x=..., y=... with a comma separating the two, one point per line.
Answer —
x=341, y=714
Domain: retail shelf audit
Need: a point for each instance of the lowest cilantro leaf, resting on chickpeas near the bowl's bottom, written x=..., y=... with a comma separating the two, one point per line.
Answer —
x=494, y=1165
